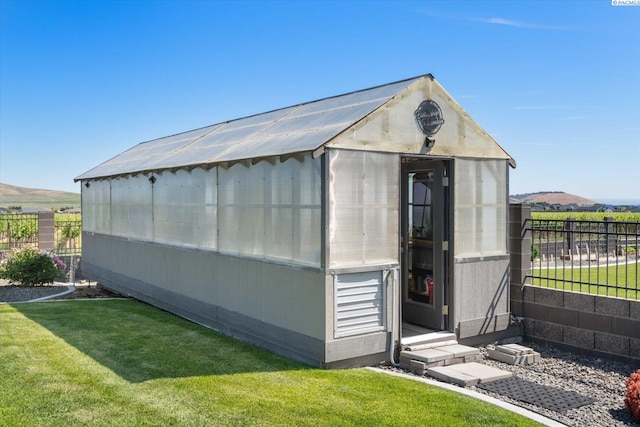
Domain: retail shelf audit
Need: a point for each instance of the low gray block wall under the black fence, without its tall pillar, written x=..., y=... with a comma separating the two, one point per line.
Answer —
x=606, y=326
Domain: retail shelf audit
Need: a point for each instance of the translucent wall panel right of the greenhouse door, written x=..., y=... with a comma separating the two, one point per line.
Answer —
x=481, y=202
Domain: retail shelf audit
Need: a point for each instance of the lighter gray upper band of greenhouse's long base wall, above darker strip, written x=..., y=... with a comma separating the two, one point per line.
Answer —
x=284, y=296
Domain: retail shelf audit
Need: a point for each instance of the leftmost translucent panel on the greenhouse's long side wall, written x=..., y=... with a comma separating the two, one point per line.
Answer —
x=96, y=207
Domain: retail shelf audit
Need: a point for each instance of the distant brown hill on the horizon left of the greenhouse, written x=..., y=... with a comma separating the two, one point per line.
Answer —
x=11, y=195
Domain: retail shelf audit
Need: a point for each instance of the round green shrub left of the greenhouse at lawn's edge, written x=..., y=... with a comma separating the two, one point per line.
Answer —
x=29, y=266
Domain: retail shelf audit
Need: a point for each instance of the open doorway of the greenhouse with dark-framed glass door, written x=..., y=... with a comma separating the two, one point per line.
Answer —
x=425, y=234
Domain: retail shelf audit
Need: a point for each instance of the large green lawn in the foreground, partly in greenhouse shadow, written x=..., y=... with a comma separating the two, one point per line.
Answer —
x=124, y=363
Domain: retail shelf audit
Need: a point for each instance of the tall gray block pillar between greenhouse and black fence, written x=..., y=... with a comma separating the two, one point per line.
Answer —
x=520, y=253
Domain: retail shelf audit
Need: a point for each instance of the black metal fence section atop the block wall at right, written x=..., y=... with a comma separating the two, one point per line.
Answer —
x=598, y=257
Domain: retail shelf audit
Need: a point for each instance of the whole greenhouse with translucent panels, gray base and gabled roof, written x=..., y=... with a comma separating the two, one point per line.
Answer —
x=322, y=231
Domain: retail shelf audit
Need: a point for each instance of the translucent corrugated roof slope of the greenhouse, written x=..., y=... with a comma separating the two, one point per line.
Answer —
x=301, y=128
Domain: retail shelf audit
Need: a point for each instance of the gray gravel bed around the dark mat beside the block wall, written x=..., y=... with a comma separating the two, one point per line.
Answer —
x=599, y=379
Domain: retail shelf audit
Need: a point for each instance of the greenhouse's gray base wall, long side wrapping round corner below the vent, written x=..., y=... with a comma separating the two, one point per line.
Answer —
x=280, y=308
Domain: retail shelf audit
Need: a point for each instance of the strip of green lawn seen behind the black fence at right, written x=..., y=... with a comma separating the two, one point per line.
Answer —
x=624, y=277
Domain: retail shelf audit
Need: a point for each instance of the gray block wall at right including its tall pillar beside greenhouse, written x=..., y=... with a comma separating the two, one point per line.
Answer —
x=601, y=325
